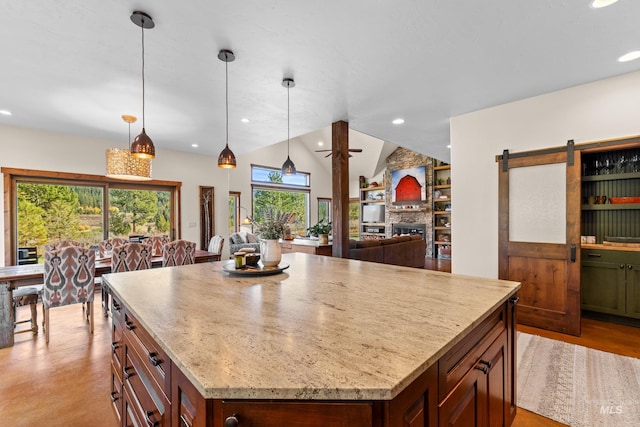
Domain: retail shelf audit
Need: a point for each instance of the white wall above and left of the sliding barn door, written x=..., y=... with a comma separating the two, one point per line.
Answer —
x=601, y=110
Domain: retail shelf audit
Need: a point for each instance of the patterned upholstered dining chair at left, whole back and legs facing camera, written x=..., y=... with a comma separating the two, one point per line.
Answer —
x=68, y=279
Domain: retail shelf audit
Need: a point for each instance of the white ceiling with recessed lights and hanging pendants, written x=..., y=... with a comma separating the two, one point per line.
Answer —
x=75, y=65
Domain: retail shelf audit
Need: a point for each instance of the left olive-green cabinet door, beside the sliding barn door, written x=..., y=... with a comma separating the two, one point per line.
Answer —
x=603, y=287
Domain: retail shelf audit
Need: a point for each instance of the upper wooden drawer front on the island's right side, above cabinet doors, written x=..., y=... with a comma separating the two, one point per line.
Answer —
x=464, y=355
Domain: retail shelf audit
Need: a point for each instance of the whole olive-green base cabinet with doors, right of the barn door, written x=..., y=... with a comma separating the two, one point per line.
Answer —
x=610, y=282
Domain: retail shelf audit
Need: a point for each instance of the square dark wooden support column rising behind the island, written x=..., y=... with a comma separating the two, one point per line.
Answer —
x=340, y=188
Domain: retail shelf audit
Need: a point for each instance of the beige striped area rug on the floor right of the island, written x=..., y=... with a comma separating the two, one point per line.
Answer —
x=575, y=385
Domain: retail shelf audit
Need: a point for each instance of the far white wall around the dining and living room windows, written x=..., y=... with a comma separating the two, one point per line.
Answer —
x=50, y=151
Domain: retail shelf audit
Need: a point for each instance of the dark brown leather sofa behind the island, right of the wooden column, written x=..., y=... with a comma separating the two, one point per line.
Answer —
x=408, y=251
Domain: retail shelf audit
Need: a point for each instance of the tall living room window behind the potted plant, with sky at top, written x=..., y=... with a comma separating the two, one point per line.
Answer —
x=287, y=194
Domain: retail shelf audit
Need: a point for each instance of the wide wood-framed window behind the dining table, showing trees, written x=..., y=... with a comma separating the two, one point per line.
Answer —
x=44, y=206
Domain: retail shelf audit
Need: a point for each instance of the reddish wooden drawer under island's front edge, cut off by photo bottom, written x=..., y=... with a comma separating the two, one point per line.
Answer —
x=282, y=413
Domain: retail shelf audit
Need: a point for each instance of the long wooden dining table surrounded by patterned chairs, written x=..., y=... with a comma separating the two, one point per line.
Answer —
x=14, y=276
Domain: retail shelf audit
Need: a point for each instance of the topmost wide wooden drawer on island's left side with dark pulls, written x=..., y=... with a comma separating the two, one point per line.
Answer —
x=152, y=356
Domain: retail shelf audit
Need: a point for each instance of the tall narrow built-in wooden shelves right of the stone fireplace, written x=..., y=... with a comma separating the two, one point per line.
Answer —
x=441, y=210
